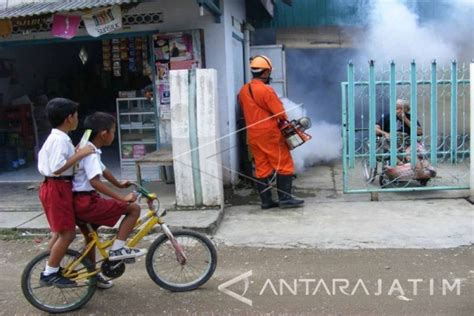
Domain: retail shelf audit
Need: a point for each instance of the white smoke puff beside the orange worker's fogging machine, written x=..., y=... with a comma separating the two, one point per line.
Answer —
x=324, y=147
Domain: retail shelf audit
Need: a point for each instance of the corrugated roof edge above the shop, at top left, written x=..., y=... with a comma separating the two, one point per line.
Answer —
x=40, y=8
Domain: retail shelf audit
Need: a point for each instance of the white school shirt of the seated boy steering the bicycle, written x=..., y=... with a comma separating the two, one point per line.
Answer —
x=89, y=167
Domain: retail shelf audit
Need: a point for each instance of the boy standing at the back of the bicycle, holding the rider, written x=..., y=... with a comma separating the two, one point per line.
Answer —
x=55, y=162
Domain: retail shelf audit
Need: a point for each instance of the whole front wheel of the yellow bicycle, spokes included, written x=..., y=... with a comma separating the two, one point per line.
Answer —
x=166, y=270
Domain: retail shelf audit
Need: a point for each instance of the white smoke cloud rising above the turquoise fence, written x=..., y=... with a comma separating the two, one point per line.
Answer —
x=395, y=33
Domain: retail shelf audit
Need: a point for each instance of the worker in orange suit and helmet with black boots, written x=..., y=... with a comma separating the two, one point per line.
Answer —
x=262, y=111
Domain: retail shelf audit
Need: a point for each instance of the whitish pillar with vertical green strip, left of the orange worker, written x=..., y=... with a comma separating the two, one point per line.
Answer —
x=195, y=132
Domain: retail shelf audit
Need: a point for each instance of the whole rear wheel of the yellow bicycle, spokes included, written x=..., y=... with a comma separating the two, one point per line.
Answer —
x=52, y=299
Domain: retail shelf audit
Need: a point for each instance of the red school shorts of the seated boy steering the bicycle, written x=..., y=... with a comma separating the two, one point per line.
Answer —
x=91, y=208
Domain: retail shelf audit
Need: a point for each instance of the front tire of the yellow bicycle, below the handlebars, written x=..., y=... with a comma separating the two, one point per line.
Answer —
x=153, y=256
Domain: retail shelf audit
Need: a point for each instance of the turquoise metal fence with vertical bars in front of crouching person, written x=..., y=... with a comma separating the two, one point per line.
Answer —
x=439, y=100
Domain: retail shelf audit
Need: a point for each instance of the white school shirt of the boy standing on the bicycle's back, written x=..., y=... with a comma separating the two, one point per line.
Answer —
x=54, y=153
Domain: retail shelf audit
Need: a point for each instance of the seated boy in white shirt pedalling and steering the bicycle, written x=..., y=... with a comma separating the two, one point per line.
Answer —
x=89, y=206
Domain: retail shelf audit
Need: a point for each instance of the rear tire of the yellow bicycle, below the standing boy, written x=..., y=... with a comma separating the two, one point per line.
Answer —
x=33, y=298
